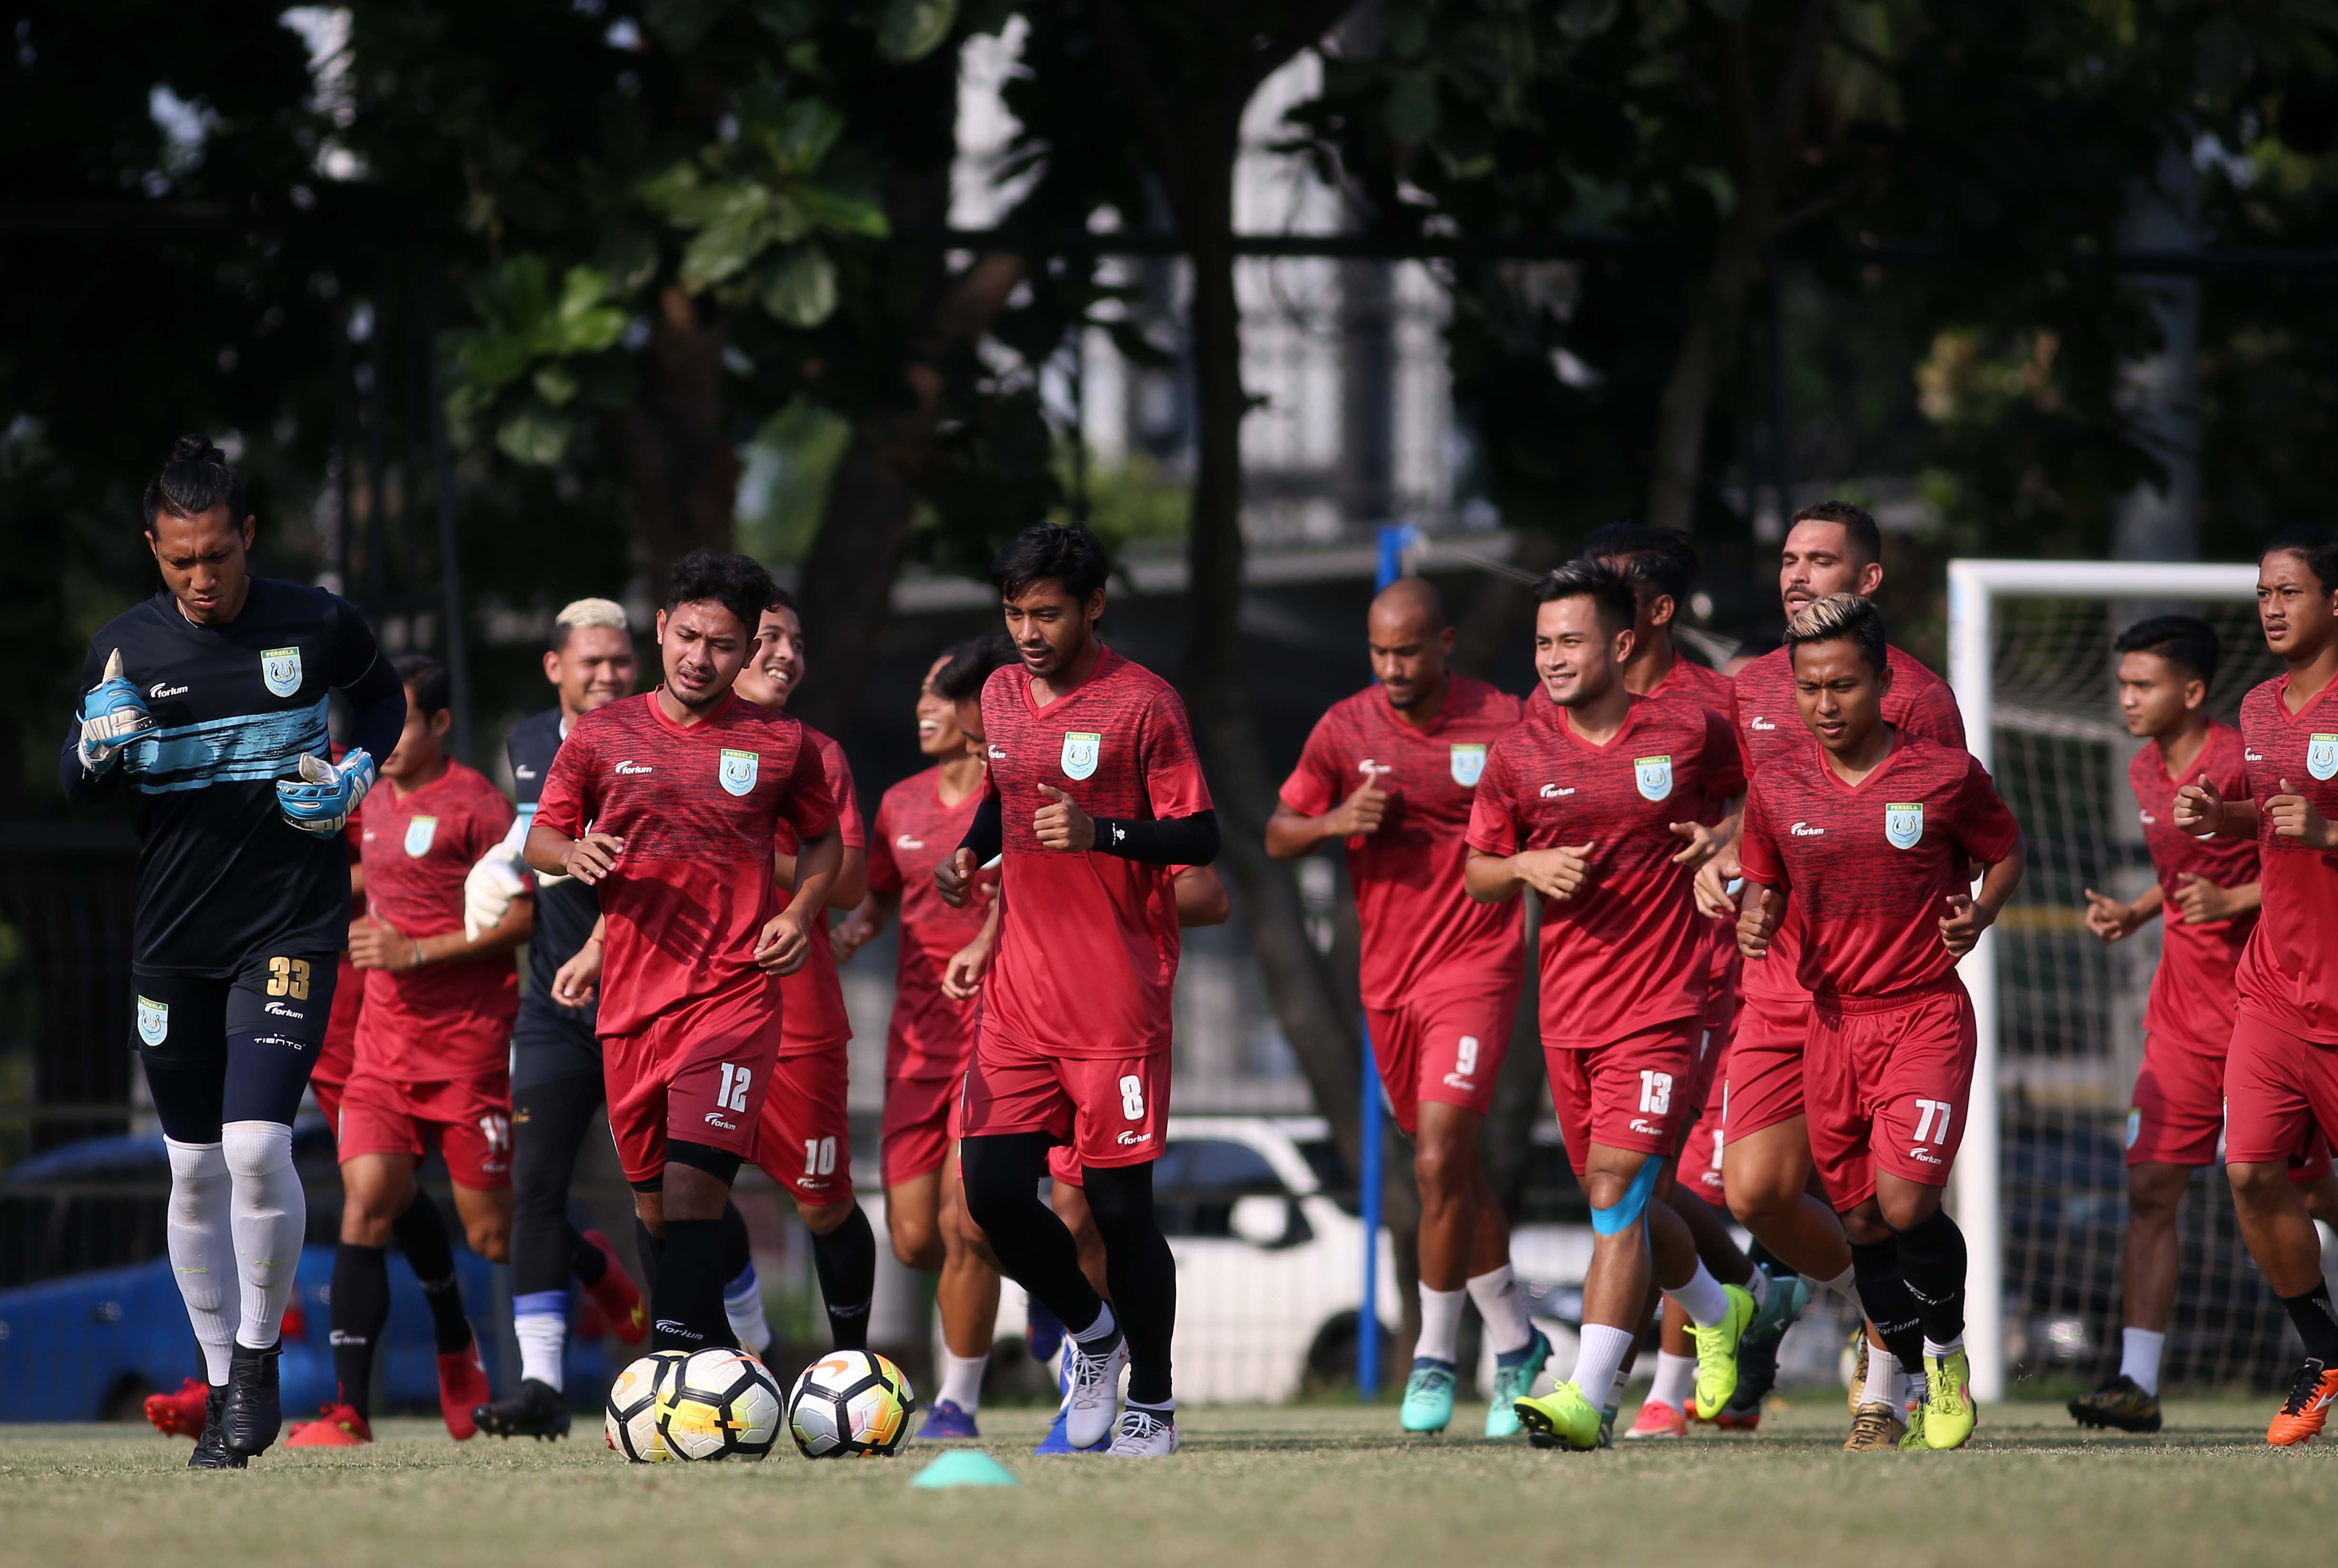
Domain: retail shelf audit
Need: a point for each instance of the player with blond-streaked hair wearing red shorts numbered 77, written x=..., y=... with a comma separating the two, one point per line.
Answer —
x=1876, y=849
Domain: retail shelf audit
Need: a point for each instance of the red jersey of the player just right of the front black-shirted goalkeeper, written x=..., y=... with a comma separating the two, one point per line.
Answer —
x=417, y=852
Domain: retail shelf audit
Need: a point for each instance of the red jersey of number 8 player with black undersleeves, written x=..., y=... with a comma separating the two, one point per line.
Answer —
x=1086, y=943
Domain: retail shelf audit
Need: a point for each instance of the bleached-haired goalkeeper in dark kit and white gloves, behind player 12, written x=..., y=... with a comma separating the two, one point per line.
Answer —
x=555, y=1055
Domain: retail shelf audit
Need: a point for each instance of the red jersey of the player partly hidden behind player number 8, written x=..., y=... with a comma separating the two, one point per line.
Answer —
x=915, y=833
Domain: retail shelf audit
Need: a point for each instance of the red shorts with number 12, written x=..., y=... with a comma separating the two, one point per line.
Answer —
x=696, y=1074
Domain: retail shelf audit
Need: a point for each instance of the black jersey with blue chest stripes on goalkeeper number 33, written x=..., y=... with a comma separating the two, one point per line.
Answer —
x=221, y=875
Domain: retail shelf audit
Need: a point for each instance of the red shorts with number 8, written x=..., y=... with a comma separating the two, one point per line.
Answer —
x=1114, y=1111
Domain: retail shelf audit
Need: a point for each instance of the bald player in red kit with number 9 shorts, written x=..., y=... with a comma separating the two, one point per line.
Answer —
x=1392, y=772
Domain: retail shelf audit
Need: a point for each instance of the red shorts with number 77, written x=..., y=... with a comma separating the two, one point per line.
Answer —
x=1888, y=1092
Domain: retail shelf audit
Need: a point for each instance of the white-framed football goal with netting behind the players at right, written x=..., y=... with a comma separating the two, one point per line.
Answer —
x=2042, y=1174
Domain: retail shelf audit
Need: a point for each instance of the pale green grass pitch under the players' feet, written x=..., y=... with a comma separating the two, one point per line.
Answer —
x=1313, y=1485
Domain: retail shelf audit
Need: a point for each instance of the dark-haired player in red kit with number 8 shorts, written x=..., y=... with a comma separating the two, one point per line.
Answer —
x=1093, y=793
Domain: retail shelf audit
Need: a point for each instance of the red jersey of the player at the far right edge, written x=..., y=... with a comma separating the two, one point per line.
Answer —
x=2290, y=966
